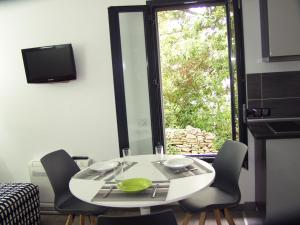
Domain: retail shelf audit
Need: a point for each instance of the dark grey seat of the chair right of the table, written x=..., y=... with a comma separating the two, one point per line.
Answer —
x=209, y=198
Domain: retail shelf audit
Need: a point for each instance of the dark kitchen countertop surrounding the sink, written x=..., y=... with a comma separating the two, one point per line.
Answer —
x=261, y=130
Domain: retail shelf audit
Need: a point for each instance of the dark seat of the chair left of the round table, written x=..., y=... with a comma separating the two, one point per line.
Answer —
x=75, y=206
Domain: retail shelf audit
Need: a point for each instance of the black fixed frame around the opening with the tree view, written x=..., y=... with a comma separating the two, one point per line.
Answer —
x=157, y=5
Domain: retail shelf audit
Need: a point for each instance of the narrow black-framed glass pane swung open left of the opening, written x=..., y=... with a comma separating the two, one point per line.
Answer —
x=130, y=68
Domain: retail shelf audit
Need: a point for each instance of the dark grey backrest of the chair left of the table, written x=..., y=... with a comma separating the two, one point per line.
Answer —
x=59, y=167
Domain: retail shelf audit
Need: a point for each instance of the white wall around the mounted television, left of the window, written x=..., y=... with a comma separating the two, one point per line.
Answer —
x=79, y=115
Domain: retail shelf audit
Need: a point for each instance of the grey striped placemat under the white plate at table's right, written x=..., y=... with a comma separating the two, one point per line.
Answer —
x=195, y=169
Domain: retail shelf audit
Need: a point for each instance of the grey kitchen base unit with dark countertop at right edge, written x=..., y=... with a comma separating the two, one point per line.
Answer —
x=276, y=155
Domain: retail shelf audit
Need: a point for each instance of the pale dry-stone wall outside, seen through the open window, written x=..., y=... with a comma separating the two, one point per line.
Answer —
x=189, y=141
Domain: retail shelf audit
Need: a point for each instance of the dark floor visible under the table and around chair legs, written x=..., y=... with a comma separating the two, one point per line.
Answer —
x=240, y=217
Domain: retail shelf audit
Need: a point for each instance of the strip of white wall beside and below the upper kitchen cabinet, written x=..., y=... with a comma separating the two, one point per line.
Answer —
x=252, y=38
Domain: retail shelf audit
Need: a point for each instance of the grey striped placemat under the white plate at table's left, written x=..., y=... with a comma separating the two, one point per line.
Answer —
x=90, y=174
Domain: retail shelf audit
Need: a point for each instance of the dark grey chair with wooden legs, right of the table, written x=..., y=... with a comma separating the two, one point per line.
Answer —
x=224, y=192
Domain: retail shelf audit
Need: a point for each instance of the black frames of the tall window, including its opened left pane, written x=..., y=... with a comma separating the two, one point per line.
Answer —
x=152, y=53
